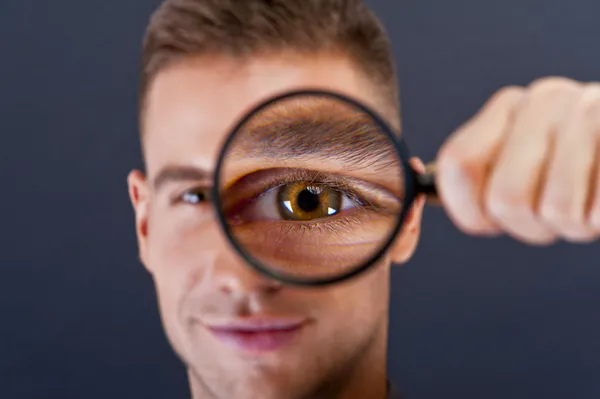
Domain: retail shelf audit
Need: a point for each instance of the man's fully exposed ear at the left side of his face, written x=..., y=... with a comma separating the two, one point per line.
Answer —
x=139, y=196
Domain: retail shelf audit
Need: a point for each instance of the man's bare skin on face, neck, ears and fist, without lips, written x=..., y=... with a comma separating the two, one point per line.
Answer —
x=525, y=166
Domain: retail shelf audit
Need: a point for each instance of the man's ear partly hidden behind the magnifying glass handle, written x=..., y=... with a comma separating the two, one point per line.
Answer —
x=407, y=241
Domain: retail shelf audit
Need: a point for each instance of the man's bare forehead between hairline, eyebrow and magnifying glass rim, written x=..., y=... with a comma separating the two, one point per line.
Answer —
x=192, y=105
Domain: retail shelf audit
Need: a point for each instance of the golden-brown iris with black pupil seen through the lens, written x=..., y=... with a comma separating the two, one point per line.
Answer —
x=305, y=201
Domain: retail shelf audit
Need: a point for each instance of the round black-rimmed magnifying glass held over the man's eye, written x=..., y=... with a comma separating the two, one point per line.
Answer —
x=312, y=187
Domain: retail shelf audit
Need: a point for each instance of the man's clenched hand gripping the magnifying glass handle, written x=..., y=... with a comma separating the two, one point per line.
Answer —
x=527, y=164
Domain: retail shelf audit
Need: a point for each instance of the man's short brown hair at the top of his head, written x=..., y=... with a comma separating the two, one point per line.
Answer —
x=182, y=28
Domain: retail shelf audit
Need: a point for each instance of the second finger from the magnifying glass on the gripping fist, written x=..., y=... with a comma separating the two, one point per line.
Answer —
x=513, y=191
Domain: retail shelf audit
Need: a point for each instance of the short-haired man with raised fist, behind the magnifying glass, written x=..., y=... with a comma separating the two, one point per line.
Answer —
x=526, y=165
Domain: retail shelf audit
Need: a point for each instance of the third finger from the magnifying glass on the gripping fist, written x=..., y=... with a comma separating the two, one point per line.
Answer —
x=565, y=197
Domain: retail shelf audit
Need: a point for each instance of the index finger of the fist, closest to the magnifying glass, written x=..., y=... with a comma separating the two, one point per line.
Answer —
x=464, y=161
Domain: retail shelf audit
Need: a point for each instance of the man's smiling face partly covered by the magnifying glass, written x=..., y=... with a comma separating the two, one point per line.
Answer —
x=203, y=285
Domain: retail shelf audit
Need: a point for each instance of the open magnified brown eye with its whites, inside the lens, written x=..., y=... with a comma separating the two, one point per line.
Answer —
x=299, y=201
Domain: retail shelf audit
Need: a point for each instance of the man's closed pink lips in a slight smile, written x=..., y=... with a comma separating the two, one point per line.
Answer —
x=257, y=334
